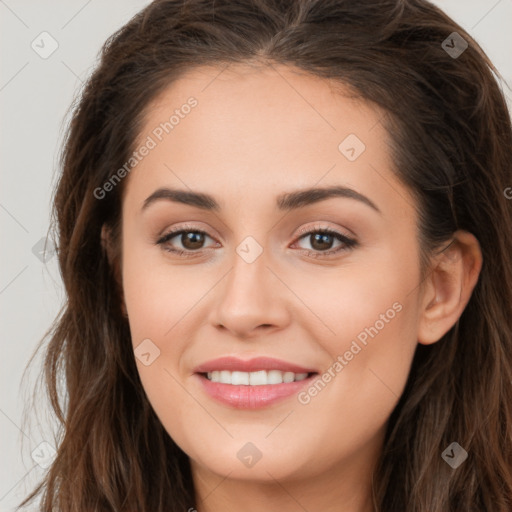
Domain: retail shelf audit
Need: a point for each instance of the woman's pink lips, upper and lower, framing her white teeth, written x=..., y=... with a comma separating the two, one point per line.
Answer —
x=251, y=397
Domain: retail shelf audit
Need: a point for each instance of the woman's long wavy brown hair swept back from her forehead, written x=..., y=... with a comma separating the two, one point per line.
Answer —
x=452, y=145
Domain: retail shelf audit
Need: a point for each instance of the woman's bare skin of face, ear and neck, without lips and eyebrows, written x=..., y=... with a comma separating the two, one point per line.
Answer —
x=257, y=133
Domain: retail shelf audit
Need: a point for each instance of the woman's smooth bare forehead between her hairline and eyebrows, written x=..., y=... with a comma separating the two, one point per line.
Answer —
x=255, y=132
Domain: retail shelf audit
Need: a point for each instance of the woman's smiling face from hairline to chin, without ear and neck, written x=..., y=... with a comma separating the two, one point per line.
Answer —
x=260, y=283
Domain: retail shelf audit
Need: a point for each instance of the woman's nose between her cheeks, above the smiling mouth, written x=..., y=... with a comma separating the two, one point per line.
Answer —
x=250, y=300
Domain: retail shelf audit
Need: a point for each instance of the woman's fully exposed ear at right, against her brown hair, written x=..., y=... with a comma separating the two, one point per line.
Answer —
x=449, y=286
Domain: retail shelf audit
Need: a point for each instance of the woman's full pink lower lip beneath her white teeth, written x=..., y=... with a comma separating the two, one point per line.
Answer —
x=252, y=397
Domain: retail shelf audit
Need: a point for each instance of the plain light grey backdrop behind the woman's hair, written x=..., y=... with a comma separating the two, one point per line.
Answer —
x=36, y=92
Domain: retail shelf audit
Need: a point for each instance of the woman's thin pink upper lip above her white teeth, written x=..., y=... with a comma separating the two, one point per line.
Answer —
x=250, y=365
